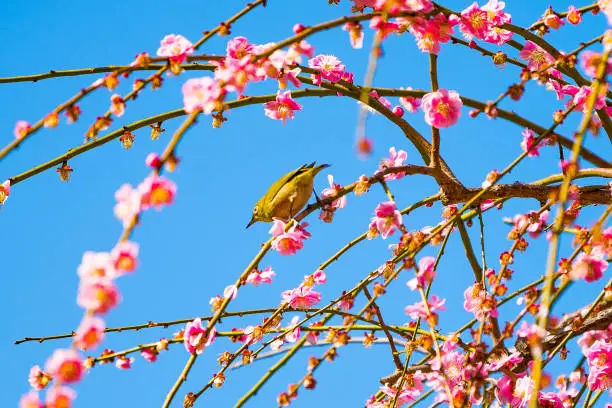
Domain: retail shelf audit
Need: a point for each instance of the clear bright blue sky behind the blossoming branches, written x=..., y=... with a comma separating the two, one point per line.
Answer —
x=193, y=249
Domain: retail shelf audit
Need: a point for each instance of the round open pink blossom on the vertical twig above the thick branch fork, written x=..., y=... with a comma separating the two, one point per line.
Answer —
x=442, y=108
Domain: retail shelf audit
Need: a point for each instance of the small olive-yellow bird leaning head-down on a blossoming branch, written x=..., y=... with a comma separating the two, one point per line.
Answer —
x=287, y=196
